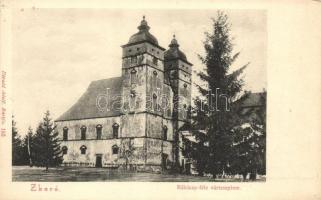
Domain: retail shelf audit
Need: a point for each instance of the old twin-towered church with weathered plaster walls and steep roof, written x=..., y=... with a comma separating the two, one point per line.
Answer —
x=133, y=120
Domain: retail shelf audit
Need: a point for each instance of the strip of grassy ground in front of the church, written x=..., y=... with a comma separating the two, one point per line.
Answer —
x=64, y=174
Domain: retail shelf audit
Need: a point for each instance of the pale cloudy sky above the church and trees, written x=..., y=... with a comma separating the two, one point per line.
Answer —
x=58, y=52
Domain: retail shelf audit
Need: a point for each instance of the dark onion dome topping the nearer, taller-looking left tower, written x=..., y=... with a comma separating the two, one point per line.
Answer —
x=143, y=34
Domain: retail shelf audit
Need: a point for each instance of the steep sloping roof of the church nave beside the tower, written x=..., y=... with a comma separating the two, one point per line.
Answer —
x=86, y=106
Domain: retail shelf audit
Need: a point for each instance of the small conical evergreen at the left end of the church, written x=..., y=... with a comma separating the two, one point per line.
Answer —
x=46, y=144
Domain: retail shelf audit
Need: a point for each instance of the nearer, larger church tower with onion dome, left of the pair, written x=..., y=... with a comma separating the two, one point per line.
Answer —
x=144, y=119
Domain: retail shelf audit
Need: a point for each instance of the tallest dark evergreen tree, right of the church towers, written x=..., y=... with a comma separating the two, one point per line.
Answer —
x=211, y=112
